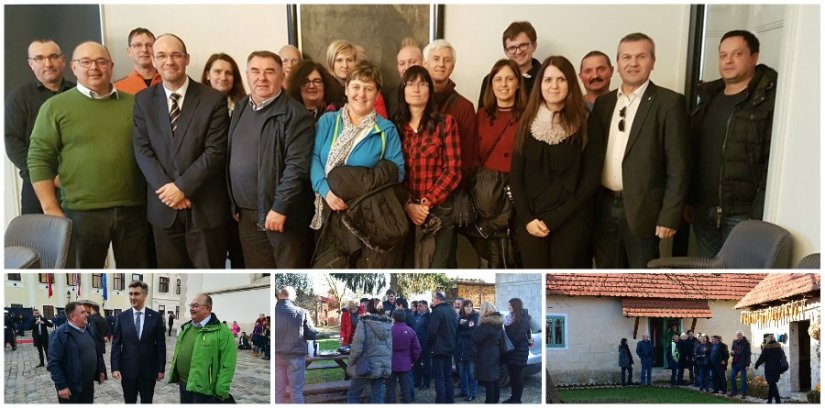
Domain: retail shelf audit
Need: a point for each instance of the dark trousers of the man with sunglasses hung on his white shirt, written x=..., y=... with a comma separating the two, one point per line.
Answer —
x=615, y=246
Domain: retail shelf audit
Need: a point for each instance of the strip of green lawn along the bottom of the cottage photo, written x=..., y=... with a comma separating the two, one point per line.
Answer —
x=641, y=395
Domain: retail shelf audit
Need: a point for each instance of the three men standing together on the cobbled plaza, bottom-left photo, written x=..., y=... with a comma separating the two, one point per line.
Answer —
x=75, y=351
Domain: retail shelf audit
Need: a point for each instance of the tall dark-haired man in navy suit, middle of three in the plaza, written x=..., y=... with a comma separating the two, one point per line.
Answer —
x=138, y=347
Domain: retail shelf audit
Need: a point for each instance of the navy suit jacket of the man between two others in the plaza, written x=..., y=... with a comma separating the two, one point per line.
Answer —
x=143, y=358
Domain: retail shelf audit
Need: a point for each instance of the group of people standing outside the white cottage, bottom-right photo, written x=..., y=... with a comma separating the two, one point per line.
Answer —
x=706, y=358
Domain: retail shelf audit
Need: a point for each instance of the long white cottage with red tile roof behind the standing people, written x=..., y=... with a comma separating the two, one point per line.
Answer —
x=589, y=313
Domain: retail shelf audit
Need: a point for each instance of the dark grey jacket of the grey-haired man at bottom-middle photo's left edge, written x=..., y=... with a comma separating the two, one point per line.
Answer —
x=293, y=327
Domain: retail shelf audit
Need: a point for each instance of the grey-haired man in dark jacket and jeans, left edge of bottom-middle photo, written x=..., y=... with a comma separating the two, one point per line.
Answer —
x=293, y=326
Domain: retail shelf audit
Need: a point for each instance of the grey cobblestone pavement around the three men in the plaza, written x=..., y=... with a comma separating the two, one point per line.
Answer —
x=26, y=384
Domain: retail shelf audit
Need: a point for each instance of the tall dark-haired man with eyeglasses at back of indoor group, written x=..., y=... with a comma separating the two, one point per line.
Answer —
x=519, y=42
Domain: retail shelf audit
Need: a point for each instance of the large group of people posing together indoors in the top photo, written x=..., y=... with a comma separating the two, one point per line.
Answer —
x=541, y=175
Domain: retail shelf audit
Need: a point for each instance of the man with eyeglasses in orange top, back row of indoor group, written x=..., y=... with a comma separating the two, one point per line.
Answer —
x=139, y=50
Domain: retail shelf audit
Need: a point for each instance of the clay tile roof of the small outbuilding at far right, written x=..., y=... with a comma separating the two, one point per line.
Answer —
x=778, y=286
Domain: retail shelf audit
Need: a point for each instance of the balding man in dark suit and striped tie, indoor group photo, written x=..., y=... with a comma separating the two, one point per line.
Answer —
x=180, y=145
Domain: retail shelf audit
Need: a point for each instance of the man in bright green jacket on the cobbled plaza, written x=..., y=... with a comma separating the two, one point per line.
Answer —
x=205, y=354
